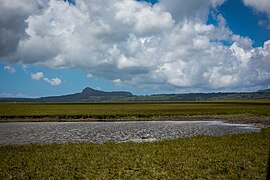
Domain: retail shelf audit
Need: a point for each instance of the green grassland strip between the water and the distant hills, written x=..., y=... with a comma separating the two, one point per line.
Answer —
x=132, y=110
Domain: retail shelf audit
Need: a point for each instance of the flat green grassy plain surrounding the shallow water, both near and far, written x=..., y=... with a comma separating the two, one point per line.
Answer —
x=241, y=156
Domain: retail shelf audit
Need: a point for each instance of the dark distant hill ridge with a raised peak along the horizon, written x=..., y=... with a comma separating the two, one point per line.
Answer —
x=92, y=95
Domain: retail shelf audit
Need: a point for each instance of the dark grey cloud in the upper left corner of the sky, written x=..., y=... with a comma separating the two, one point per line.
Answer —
x=13, y=15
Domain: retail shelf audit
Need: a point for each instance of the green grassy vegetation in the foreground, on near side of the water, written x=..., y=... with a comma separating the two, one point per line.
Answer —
x=242, y=156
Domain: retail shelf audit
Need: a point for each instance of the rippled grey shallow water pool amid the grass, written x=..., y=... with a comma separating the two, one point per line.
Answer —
x=100, y=132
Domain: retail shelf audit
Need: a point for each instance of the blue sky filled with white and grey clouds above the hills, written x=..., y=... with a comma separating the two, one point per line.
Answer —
x=56, y=47
